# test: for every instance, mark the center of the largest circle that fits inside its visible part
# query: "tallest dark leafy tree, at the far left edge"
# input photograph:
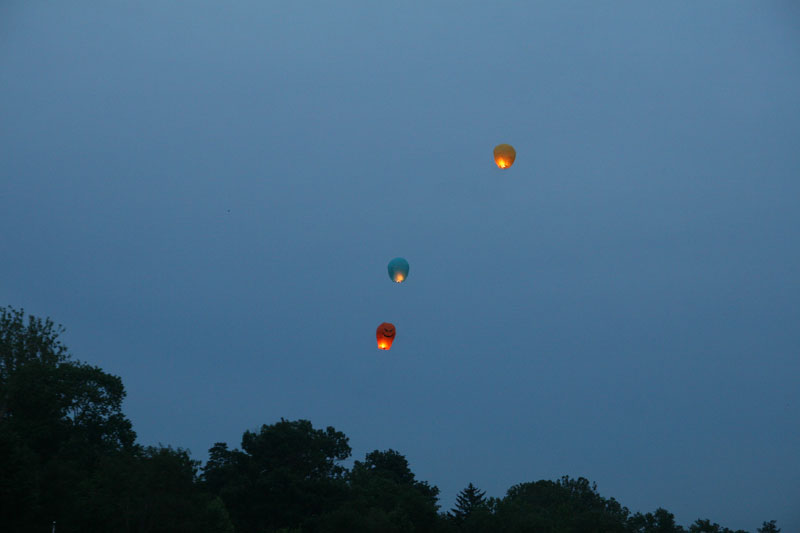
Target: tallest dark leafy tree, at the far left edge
(58, 417)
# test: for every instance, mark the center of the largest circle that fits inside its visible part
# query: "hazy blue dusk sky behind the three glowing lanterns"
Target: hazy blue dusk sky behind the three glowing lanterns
(206, 196)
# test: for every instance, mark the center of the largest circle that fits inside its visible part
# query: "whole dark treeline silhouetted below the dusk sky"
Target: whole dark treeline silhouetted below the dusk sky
(69, 455)
